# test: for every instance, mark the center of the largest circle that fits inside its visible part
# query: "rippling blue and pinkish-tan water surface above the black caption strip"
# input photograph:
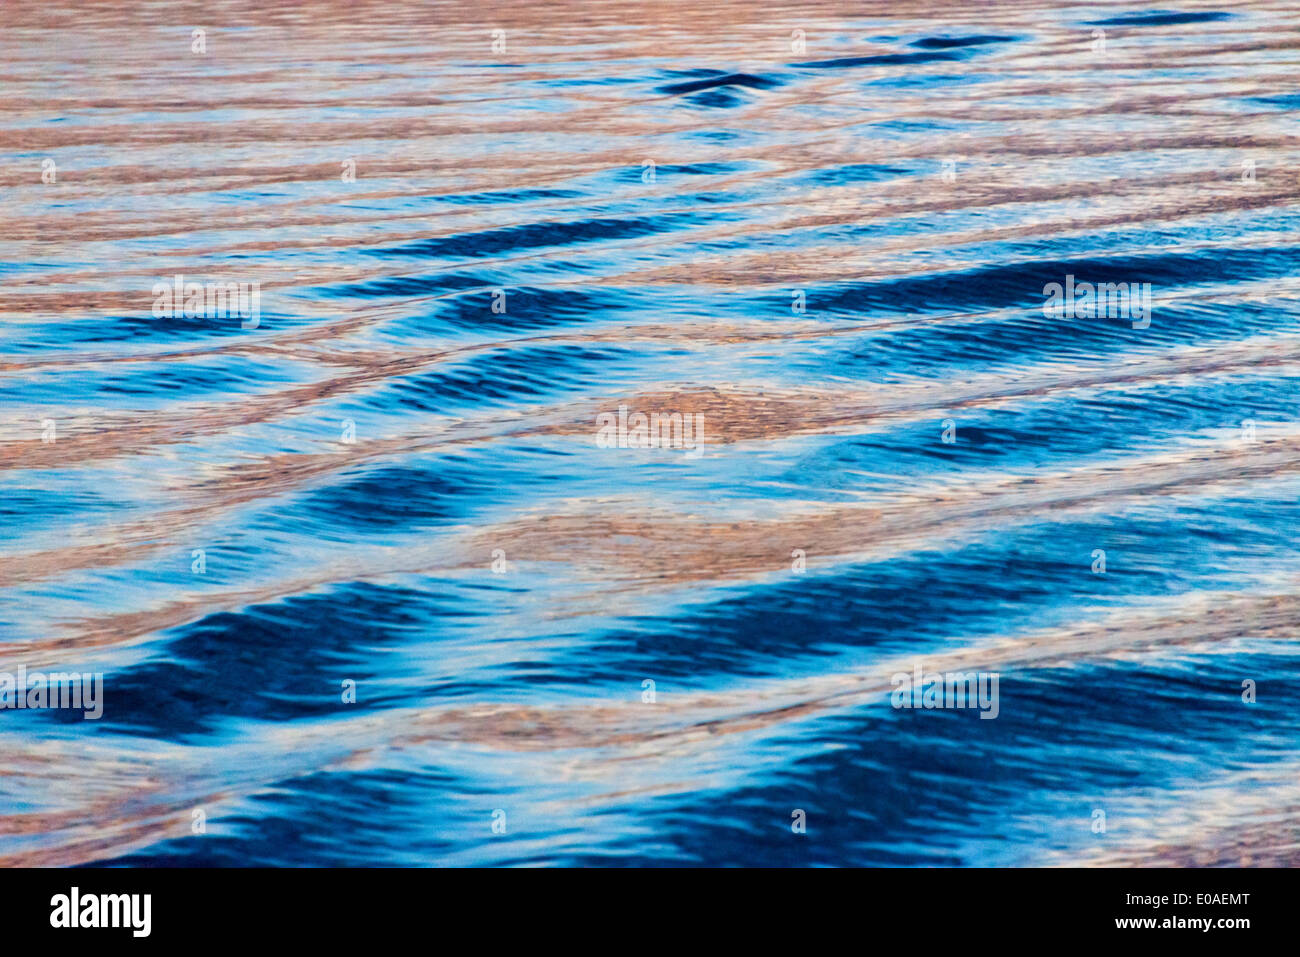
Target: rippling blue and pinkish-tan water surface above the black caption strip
(203, 532)
